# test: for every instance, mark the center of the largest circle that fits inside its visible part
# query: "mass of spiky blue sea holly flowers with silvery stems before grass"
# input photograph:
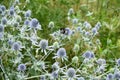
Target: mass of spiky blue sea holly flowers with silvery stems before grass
(27, 52)
